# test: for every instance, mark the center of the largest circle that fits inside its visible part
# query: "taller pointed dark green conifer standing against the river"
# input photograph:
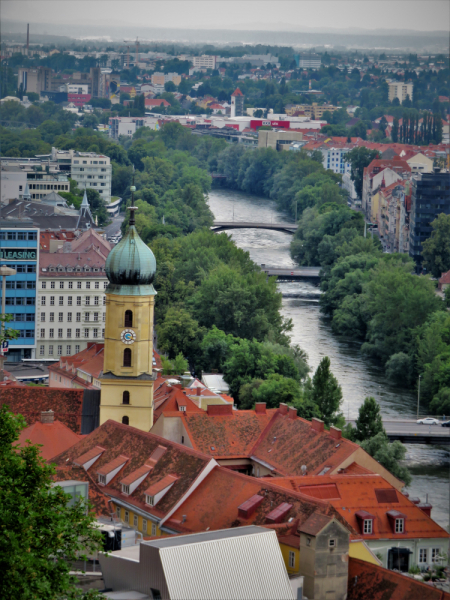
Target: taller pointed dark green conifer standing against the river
(327, 393)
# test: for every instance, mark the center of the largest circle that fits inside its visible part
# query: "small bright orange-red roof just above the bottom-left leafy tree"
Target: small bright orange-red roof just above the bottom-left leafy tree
(55, 437)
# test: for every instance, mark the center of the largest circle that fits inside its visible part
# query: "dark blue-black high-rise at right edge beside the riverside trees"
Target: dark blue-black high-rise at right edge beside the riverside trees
(429, 198)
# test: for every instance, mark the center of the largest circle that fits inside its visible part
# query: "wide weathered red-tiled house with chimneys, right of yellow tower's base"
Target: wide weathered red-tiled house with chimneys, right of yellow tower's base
(267, 442)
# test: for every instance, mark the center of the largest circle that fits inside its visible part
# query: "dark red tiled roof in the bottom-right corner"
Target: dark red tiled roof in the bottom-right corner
(366, 580)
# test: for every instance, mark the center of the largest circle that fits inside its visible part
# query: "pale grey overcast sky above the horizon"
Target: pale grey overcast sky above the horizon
(290, 15)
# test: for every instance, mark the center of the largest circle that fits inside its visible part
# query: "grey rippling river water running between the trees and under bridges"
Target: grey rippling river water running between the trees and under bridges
(358, 376)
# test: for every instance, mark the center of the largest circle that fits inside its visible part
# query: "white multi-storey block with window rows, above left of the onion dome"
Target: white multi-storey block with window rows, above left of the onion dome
(88, 169)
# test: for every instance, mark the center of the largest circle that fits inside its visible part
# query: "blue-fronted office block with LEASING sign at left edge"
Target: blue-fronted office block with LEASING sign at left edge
(19, 250)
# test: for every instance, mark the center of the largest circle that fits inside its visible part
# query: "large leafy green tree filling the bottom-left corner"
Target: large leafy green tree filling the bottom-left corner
(40, 534)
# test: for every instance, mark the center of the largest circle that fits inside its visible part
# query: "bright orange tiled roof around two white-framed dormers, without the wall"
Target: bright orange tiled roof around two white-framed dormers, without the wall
(371, 493)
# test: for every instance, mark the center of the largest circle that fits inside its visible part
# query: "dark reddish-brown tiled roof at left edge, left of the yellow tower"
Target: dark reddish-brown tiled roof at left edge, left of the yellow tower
(66, 404)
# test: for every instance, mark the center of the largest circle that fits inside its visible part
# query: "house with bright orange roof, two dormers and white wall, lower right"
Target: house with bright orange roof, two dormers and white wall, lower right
(398, 529)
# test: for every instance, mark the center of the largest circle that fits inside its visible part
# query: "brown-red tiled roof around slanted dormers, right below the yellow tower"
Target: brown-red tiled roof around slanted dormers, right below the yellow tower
(123, 440)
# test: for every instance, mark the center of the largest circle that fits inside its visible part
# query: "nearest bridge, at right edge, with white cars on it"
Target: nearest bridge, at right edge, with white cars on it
(409, 432)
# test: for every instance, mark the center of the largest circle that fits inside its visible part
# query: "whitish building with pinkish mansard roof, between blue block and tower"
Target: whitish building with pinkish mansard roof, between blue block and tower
(71, 298)
